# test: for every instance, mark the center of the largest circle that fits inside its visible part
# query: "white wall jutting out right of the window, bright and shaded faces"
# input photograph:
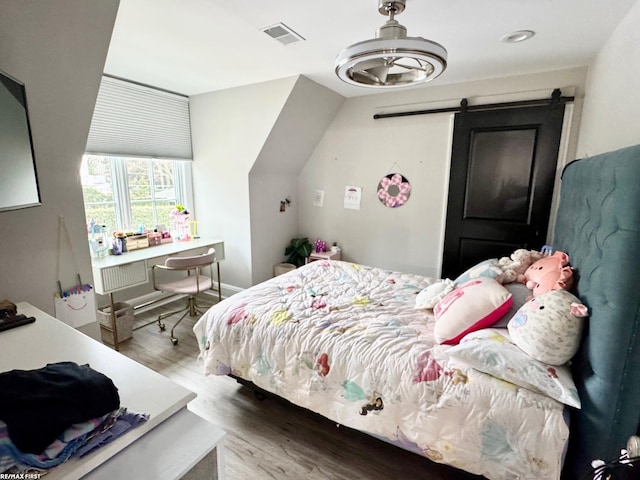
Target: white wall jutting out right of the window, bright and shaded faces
(249, 144)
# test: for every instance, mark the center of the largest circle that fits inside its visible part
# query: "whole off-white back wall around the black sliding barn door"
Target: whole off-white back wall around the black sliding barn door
(358, 150)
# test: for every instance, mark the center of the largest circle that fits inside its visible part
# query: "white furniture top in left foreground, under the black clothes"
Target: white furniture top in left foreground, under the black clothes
(141, 390)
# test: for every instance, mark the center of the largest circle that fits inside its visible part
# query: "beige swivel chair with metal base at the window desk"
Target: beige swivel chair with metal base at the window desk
(194, 283)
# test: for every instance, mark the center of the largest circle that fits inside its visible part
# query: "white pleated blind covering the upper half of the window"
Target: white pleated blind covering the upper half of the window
(136, 120)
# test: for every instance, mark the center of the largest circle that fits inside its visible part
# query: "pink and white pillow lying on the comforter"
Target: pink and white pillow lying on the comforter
(473, 305)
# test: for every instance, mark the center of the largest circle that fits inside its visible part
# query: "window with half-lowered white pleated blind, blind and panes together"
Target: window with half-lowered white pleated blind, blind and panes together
(137, 165)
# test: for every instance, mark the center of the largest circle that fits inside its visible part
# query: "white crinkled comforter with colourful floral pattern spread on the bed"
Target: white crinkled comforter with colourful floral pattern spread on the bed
(344, 340)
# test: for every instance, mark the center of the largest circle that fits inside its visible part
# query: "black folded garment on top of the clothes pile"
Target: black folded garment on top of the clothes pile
(39, 405)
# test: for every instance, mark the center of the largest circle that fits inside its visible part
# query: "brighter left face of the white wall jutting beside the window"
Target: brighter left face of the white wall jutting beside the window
(229, 129)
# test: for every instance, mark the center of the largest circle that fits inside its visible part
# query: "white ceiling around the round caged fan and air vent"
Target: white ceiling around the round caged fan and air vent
(196, 46)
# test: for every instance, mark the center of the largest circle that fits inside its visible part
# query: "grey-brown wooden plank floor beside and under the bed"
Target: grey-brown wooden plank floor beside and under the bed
(271, 439)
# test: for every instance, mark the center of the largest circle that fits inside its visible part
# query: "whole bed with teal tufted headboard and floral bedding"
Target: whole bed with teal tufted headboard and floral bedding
(345, 340)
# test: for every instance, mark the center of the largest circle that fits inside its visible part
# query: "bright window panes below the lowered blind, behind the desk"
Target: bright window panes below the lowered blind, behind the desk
(126, 193)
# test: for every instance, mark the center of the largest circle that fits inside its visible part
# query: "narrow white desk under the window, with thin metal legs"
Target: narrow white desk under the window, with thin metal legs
(118, 272)
